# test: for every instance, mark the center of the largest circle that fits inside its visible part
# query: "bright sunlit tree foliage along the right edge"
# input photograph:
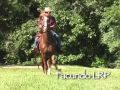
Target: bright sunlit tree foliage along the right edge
(110, 27)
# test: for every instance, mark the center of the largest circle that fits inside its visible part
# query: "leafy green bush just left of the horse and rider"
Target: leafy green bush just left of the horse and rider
(21, 40)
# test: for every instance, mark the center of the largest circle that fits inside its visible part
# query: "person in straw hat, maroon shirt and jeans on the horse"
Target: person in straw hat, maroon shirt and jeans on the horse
(52, 22)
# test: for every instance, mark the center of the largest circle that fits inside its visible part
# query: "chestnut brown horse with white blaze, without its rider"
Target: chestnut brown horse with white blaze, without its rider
(47, 47)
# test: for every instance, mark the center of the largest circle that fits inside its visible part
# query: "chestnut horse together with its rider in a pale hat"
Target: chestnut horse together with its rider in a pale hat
(46, 41)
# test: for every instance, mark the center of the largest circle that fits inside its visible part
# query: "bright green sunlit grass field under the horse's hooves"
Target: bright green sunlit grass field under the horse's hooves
(34, 79)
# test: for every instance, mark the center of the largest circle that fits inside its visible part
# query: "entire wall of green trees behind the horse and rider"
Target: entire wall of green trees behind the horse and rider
(89, 30)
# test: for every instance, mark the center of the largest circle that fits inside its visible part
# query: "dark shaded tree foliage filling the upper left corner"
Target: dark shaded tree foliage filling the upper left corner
(16, 12)
